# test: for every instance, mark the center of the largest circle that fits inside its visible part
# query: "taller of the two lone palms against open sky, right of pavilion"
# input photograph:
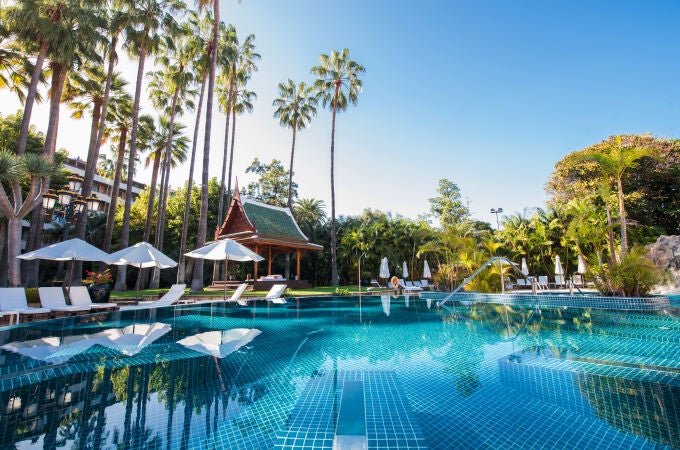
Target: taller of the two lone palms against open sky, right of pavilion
(338, 85)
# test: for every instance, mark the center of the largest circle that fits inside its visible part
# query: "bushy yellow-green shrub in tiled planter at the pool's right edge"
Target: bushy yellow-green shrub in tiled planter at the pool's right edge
(635, 276)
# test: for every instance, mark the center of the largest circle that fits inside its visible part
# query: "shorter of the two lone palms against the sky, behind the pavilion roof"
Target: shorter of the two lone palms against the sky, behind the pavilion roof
(295, 107)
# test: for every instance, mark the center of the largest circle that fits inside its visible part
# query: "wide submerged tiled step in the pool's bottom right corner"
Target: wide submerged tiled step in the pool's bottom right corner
(631, 399)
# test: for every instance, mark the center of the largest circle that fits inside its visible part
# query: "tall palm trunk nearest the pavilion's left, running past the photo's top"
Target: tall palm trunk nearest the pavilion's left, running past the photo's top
(197, 281)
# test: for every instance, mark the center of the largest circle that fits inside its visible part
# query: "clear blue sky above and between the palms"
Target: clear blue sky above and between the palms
(488, 94)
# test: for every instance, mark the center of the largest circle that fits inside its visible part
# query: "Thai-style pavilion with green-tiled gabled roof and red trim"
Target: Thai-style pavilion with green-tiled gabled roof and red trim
(269, 231)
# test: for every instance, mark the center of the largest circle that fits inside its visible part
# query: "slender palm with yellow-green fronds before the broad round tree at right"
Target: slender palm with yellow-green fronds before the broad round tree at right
(613, 160)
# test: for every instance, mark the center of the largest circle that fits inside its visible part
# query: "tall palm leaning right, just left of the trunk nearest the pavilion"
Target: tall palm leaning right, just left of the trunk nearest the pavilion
(203, 41)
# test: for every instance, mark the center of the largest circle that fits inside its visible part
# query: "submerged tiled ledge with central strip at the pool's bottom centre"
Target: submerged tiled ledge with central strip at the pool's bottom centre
(319, 417)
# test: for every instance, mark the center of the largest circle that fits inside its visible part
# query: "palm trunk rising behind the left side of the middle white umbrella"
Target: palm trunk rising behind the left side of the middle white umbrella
(121, 283)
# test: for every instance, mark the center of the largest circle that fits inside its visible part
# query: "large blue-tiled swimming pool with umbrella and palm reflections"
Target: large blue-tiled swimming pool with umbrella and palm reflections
(475, 376)
